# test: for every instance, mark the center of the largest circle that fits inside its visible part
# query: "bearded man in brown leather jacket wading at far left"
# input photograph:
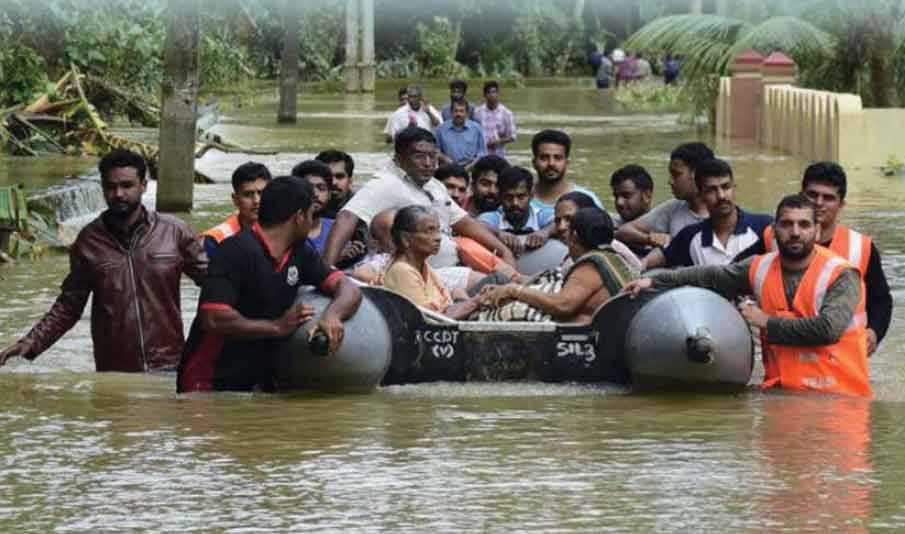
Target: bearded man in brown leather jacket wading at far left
(132, 260)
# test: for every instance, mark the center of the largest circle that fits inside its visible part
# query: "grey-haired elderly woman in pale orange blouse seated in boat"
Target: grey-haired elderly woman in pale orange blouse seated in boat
(416, 236)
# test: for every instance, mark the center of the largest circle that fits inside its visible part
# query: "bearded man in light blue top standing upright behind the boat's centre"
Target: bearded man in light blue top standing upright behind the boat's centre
(550, 150)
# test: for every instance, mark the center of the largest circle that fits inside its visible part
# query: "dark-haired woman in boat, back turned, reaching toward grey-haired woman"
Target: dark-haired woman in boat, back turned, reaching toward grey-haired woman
(598, 273)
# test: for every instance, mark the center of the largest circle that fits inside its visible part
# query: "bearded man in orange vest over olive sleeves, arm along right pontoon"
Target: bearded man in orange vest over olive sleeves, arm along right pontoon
(808, 304)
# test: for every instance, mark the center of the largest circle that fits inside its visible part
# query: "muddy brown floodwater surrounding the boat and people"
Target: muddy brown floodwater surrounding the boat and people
(85, 452)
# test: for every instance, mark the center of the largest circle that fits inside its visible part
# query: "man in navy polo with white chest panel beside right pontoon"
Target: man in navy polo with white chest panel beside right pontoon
(719, 238)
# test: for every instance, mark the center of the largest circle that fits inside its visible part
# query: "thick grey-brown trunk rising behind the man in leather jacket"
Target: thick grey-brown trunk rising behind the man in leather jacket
(179, 95)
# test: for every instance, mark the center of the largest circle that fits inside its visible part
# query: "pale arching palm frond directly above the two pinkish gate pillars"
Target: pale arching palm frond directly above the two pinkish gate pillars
(792, 35)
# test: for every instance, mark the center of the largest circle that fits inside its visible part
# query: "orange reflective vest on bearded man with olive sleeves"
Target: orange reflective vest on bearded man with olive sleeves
(837, 368)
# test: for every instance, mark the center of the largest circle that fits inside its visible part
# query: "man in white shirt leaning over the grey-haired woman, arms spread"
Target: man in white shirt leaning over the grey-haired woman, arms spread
(409, 180)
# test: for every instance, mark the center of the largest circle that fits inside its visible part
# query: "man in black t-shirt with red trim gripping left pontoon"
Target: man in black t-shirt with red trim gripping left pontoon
(246, 307)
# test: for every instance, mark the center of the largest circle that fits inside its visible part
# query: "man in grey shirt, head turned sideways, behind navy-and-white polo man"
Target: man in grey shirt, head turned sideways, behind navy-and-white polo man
(656, 227)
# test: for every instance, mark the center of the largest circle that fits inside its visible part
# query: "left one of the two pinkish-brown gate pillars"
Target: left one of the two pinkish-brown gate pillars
(745, 96)
